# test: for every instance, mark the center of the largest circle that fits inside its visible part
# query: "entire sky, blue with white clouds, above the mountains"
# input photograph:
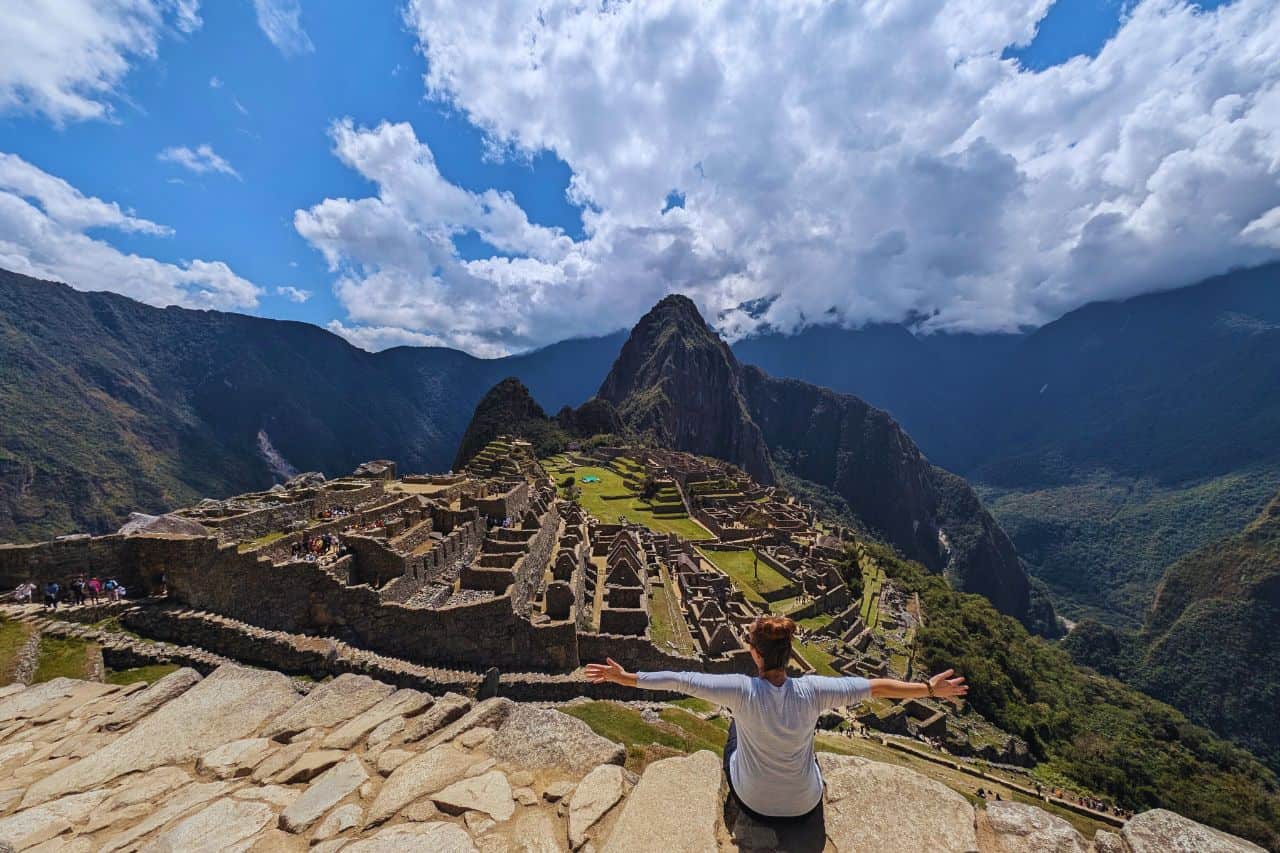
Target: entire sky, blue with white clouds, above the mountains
(977, 172)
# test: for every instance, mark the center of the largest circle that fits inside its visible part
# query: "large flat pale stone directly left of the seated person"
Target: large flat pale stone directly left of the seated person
(675, 809)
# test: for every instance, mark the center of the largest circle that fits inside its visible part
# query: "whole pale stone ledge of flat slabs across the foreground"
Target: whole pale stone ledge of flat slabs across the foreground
(245, 760)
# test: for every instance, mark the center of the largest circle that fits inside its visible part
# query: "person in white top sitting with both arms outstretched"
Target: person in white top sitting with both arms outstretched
(770, 756)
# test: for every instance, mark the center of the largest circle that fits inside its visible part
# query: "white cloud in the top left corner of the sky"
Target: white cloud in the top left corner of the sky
(67, 60)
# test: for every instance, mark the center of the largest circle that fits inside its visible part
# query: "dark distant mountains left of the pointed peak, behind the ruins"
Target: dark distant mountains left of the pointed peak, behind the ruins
(111, 405)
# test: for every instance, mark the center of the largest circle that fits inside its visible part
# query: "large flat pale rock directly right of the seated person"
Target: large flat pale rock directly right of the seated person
(883, 808)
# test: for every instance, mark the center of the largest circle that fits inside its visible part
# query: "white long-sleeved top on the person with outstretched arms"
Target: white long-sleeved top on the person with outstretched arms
(774, 769)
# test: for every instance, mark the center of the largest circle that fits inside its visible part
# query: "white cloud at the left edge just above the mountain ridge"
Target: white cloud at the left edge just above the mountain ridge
(43, 234)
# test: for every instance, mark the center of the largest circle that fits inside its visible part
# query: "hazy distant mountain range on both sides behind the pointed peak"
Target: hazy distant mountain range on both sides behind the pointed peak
(1108, 444)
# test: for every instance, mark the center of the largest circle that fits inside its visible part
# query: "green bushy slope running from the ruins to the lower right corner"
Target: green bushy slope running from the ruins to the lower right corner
(1094, 732)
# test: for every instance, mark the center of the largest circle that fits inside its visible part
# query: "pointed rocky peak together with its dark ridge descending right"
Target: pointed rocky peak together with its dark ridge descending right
(679, 381)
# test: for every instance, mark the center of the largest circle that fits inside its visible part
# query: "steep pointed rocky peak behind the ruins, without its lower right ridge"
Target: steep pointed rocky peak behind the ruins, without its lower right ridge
(676, 380)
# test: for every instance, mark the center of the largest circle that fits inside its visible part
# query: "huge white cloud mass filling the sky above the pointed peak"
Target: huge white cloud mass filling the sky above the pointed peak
(860, 162)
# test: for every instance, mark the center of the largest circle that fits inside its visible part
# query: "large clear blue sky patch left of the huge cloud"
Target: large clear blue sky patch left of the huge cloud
(269, 118)
